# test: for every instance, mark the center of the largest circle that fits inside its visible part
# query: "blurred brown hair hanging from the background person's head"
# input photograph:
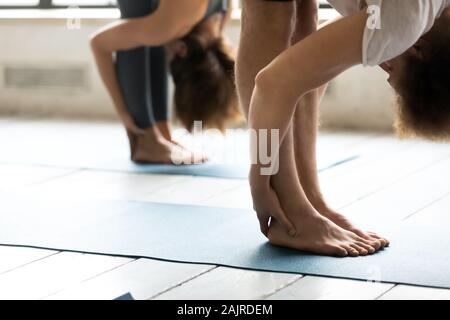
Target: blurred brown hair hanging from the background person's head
(204, 83)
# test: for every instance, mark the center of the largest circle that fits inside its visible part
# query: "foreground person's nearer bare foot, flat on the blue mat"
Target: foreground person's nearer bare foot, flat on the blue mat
(317, 234)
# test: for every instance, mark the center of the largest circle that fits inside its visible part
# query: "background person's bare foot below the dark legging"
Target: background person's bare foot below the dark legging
(148, 149)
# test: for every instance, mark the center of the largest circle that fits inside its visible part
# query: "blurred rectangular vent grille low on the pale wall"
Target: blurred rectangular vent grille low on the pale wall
(40, 77)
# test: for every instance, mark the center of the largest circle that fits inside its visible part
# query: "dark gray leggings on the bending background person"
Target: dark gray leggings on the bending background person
(142, 72)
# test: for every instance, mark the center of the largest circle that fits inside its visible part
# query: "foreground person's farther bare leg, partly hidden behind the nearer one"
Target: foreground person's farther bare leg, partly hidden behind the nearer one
(305, 136)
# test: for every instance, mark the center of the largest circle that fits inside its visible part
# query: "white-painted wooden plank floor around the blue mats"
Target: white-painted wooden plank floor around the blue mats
(413, 175)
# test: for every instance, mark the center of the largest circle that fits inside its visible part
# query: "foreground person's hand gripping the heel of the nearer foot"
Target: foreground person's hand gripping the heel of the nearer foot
(266, 203)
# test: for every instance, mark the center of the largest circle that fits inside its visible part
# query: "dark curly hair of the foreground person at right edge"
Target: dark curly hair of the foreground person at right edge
(424, 90)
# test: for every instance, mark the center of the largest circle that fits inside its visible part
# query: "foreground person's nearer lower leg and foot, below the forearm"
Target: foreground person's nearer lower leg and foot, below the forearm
(316, 233)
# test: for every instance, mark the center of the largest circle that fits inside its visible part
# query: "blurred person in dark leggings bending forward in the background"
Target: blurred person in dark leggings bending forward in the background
(134, 54)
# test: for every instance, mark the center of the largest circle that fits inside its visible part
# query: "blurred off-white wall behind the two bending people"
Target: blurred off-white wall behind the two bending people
(359, 98)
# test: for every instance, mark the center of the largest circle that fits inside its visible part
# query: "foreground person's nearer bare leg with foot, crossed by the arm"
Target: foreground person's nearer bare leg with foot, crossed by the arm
(260, 43)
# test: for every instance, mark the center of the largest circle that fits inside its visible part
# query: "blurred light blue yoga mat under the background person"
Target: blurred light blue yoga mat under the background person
(97, 147)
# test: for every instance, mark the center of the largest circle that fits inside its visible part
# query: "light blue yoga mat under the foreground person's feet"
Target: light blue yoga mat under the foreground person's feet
(419, 253)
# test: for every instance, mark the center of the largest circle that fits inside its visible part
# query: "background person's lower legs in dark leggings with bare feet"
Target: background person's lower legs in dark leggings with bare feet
(138, 80)
